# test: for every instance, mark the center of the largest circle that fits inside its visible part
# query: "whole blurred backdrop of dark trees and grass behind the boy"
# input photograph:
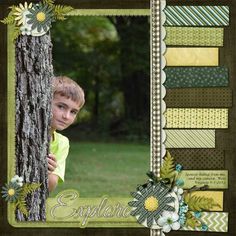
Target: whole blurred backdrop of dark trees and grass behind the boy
(109, 57)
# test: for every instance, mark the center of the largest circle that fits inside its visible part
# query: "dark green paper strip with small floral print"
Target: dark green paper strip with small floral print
(183, 76)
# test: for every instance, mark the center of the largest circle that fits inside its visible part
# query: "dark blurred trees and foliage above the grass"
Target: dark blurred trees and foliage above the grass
(110, 58)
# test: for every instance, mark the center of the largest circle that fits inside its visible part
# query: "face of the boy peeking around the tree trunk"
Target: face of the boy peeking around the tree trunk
(64, 111)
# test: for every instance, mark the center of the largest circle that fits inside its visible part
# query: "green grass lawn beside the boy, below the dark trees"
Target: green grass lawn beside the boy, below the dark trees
(113, 169)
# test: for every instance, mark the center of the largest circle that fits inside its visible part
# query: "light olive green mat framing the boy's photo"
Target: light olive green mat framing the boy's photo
(55, 221)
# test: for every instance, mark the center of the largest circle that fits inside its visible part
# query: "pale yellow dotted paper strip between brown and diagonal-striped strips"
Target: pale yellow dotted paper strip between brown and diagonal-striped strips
(212, 118)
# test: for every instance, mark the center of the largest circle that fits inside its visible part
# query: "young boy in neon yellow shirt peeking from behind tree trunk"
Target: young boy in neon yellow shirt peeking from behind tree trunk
(68, 99)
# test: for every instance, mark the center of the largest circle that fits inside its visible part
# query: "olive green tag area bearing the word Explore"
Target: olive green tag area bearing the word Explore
(67, 206)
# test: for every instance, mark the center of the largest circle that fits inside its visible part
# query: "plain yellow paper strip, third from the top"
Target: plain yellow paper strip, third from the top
(192, 56)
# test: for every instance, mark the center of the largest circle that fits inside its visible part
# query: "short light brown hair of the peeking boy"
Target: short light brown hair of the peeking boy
(68, 88)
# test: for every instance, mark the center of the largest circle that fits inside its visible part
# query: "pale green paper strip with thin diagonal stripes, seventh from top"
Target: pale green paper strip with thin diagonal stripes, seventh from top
(189, 138)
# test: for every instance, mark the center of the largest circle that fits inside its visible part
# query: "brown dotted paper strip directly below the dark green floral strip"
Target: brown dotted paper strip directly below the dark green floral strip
(199, 97)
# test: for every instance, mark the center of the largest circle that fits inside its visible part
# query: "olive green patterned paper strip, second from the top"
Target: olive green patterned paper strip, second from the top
(194, 36)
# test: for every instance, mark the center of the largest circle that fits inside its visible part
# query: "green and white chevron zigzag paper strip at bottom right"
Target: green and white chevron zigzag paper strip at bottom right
(215, 221)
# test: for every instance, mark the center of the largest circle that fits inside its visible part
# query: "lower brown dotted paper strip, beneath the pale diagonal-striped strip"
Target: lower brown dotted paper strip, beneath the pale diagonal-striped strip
(198, 159)
